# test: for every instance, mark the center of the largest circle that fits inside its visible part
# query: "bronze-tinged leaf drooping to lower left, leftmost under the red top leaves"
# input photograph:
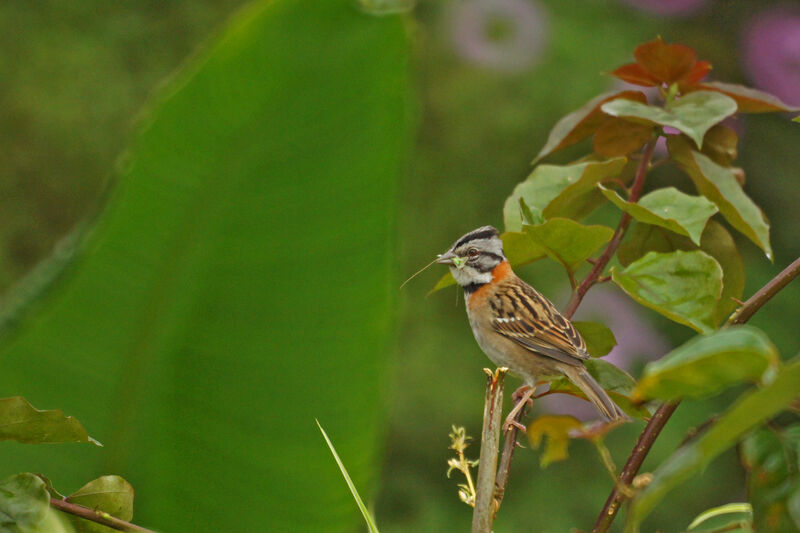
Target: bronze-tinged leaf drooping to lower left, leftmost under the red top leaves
(582, 122)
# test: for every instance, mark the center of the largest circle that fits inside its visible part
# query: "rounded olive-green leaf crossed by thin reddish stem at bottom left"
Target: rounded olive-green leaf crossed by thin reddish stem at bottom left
(110, 494)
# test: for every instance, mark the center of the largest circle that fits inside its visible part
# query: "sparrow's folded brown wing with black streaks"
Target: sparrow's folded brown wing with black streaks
(528, 318)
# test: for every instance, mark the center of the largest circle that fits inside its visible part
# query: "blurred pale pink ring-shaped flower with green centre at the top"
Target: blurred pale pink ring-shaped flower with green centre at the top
(508, 35)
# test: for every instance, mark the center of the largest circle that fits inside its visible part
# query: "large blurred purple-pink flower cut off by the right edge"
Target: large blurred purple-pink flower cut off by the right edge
(771, 52)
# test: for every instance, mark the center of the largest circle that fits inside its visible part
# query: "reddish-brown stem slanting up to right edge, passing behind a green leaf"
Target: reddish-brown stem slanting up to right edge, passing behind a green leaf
(664, 412)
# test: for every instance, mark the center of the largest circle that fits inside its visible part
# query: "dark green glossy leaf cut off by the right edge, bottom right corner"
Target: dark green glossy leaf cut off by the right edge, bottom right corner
(770, 456)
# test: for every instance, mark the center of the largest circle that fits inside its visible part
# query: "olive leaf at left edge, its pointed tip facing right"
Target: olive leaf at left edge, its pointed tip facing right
(22, 422)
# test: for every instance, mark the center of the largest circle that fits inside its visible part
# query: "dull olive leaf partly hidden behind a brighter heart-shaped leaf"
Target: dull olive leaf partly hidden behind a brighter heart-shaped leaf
(716, 241)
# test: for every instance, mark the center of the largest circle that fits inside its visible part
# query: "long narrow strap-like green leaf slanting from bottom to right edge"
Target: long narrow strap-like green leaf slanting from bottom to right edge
(750, 410)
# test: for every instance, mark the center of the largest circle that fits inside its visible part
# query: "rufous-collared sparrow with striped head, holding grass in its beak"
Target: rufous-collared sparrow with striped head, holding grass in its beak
(515, 325)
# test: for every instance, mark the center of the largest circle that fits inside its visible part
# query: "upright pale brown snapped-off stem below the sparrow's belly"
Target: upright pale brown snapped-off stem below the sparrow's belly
(490, 444)
